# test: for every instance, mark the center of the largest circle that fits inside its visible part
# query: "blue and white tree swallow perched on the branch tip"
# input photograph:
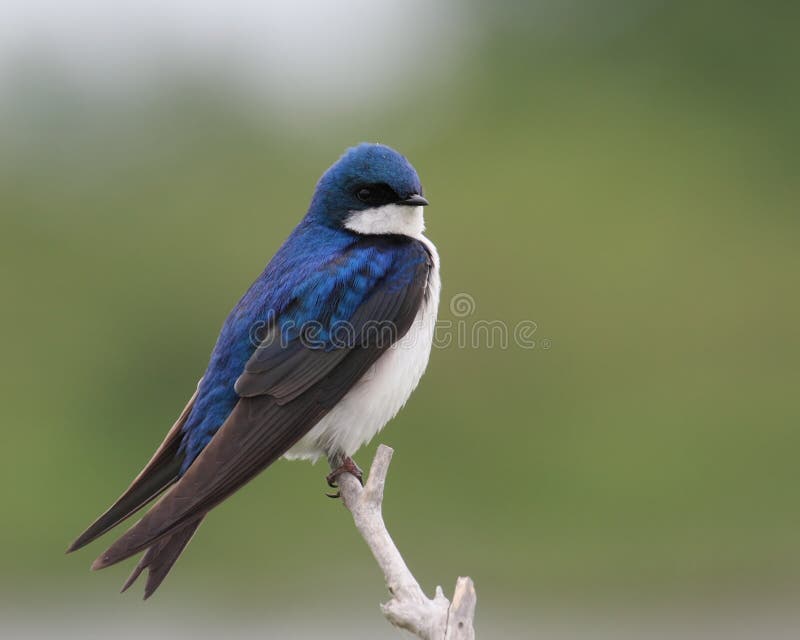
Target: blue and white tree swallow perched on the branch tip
(319, 354)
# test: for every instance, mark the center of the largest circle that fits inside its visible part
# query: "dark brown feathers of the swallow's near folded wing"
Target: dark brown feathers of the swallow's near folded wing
(261, 428)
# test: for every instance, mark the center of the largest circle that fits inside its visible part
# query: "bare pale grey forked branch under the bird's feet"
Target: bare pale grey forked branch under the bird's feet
(409, 608)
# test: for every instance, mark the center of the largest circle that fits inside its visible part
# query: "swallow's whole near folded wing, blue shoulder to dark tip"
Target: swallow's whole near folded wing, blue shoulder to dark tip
(287, 386)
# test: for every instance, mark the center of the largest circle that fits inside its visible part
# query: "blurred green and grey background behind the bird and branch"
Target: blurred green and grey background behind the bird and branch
(623, 175)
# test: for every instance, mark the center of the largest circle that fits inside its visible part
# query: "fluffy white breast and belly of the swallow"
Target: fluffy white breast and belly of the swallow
(382, 391)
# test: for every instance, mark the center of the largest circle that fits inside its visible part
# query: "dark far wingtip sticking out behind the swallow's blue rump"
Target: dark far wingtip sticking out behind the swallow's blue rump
(159, 473)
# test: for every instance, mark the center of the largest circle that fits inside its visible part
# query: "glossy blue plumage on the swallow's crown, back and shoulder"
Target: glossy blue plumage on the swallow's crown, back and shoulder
(321, 274)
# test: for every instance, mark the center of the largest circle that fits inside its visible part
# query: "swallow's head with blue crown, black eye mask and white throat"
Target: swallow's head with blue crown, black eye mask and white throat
(370, 190)
